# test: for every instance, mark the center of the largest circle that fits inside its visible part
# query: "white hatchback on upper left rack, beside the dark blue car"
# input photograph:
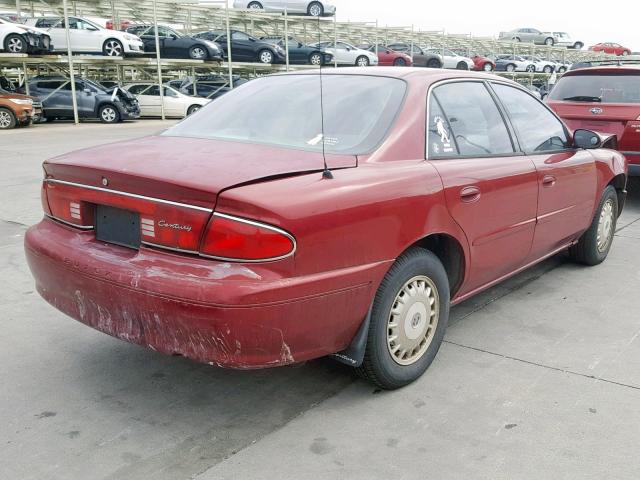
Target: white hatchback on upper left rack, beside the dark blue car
(88, 37)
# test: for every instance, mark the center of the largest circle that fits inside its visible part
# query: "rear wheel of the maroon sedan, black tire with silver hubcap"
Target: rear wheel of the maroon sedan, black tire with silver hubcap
(421, 327)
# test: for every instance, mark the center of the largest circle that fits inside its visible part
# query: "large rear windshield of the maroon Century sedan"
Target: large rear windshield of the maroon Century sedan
(285, 111)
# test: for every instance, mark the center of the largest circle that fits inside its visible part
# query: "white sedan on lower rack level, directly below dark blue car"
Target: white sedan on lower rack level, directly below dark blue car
(176, 104)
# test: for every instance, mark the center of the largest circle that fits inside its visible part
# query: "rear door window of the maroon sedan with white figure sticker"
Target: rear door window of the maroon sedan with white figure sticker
(475, 122)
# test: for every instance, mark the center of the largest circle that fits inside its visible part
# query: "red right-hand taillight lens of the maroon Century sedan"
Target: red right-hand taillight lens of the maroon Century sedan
(238, 239)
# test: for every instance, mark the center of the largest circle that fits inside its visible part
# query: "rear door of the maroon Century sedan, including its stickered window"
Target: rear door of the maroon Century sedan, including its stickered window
(491, 190)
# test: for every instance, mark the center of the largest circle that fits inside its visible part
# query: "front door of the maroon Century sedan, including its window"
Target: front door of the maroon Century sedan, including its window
(567, 177)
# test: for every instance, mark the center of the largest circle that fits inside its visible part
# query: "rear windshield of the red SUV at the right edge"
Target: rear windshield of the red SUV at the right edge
(609, 88)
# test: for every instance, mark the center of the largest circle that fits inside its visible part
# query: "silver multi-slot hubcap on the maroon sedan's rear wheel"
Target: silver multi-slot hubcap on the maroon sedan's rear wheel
(413, 320)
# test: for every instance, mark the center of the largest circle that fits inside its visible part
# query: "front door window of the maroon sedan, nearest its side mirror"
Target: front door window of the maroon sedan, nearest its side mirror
(537, 128)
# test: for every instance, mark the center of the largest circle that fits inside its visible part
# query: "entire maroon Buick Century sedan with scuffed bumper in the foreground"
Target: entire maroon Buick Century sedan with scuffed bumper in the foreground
(227, 240)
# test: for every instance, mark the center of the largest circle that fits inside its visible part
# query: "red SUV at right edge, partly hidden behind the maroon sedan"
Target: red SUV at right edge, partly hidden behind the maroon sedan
(604, 98)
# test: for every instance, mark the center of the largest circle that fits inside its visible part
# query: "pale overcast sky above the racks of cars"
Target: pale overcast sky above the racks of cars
(585, 20)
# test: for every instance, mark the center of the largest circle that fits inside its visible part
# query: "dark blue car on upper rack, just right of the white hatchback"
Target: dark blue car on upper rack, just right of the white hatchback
(176, 45)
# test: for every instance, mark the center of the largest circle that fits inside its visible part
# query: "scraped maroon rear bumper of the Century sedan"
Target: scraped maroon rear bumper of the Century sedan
(230, 315)
